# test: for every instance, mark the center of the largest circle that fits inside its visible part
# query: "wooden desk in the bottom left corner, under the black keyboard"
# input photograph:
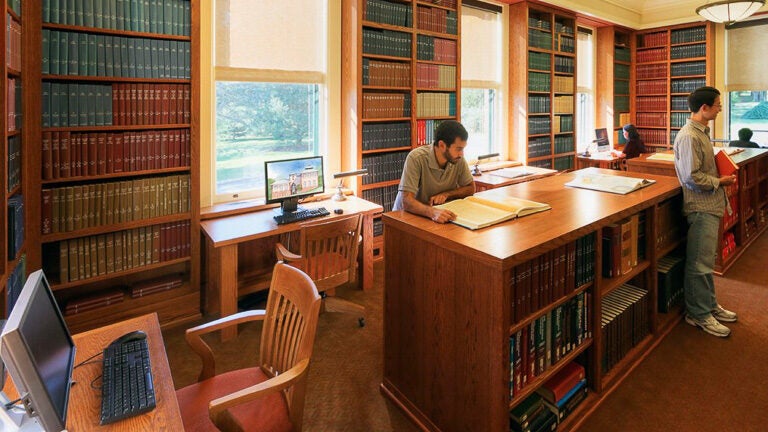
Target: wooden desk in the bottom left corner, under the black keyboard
(85, 402)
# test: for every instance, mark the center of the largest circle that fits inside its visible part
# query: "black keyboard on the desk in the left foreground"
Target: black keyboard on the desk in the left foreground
(127, 389)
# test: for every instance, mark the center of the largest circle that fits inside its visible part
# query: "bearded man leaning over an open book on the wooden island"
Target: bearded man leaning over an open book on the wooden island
(434, 174)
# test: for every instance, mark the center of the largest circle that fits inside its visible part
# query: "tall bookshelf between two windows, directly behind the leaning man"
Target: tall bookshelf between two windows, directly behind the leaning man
(401, 71)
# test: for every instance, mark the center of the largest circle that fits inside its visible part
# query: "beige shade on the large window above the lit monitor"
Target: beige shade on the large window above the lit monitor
(271, 34)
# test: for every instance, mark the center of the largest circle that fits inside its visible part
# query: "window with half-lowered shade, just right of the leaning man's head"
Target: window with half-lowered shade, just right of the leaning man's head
(481, 71)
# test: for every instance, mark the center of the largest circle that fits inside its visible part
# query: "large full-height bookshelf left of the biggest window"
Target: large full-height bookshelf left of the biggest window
(115, 160)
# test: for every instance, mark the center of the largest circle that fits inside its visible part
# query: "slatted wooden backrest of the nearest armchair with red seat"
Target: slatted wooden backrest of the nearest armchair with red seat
(293, 307)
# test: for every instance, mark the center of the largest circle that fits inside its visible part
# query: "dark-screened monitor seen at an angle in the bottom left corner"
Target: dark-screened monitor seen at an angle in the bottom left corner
(38, 351)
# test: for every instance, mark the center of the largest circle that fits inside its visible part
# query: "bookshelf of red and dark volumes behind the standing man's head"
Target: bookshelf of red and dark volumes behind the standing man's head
(670, 62)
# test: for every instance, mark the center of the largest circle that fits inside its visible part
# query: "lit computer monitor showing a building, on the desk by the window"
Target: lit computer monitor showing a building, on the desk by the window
(290, 179)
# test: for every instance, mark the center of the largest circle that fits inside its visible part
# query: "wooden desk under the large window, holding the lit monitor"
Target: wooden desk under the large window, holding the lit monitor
(224, 235)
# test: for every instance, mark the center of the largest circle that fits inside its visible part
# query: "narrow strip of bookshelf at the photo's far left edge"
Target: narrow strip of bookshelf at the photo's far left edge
(12, 220)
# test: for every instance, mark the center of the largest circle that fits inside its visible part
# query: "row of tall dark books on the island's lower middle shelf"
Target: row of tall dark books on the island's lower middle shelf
(624, 323)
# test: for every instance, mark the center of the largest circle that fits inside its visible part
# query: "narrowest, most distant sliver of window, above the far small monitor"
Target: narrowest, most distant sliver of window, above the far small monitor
(585, 89)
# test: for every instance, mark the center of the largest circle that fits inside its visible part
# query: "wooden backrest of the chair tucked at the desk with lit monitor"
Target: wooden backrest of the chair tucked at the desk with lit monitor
(329, 250)
